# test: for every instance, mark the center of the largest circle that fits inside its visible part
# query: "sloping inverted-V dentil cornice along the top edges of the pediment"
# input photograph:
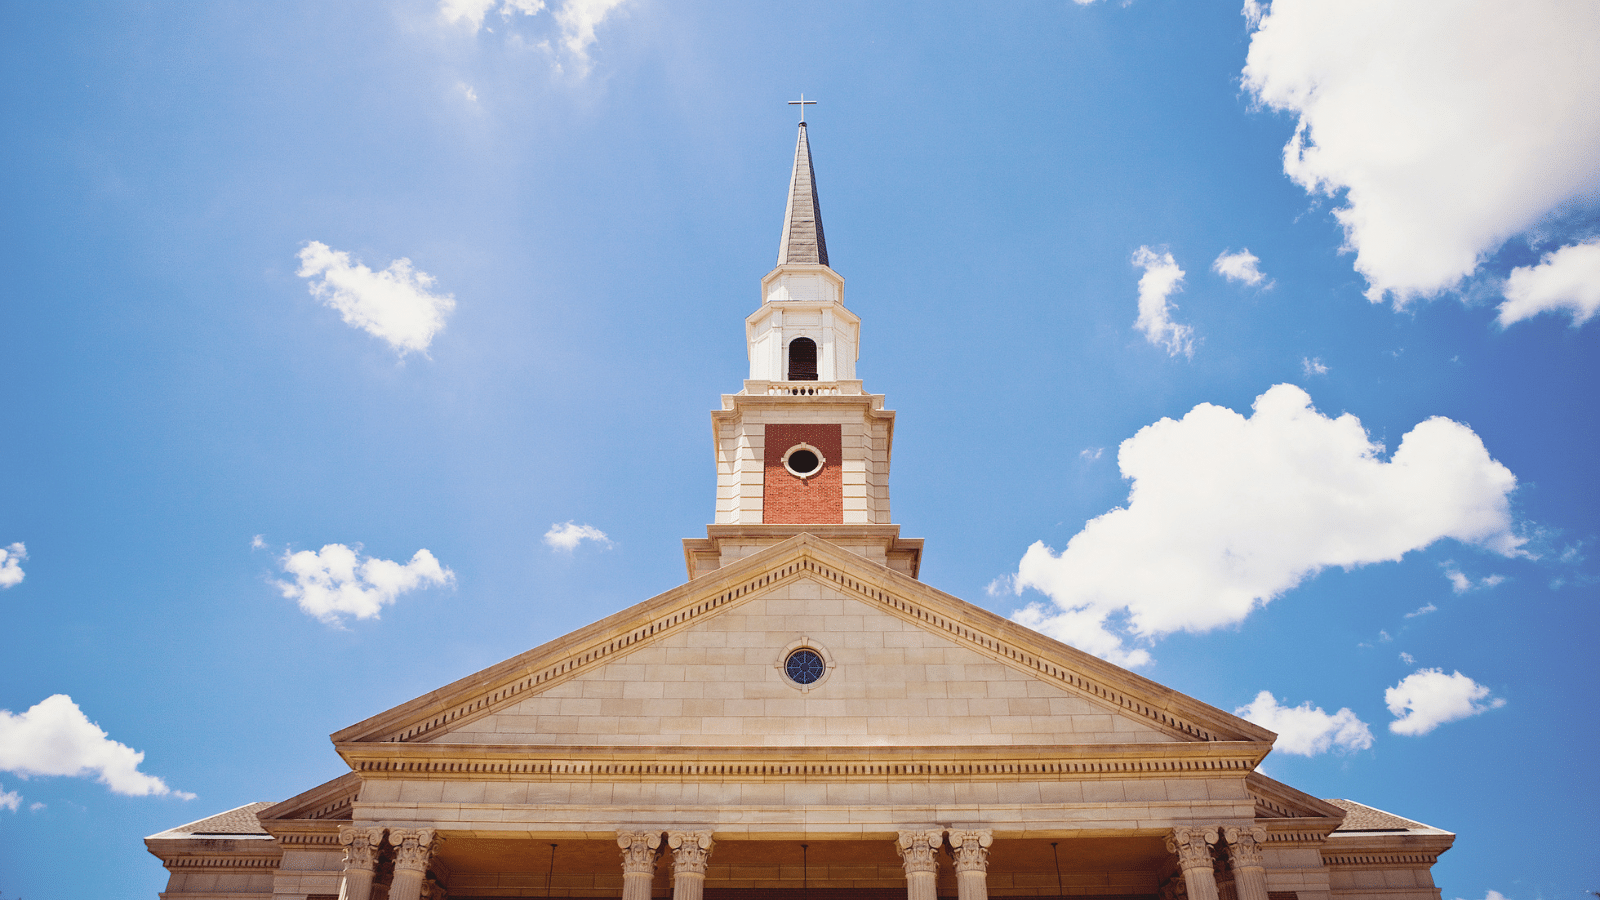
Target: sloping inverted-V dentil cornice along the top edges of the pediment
(804, 556)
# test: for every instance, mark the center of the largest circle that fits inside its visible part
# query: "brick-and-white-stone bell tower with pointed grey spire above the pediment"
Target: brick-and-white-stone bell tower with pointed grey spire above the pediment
(802, 449)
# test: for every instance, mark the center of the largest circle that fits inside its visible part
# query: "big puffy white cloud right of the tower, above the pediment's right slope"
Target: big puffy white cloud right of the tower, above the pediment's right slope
(1226, 513)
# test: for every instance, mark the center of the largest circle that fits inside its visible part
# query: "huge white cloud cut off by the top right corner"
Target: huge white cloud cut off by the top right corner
(1450, 127)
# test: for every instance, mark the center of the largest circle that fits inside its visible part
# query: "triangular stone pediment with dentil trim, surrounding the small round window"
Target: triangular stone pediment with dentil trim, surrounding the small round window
(700, 667)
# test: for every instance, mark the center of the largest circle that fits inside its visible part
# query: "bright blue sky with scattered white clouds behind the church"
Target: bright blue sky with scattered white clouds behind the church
(351, 348)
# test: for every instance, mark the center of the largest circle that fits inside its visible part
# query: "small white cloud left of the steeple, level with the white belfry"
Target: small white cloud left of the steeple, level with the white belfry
(396, 305)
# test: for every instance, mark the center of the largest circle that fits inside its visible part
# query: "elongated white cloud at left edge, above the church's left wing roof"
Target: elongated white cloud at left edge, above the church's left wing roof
(57, 739)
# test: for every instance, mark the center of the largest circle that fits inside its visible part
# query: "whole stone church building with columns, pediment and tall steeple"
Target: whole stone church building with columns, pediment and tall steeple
(802, 720)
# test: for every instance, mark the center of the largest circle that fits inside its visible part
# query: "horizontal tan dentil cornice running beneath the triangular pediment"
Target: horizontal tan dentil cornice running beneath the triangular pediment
(521, 763)
